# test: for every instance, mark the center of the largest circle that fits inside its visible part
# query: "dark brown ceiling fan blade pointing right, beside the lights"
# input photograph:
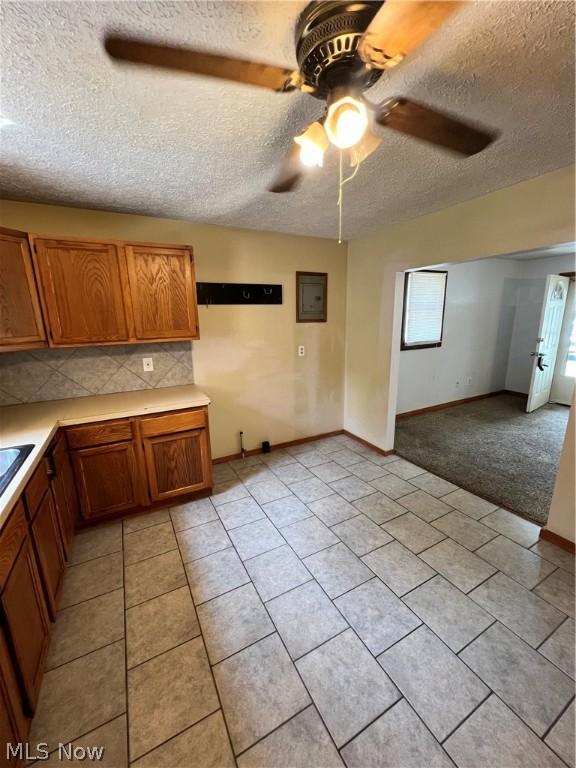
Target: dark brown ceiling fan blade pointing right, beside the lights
(435, 127)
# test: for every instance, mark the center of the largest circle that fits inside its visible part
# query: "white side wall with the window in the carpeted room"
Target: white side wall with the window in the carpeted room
(478, 322)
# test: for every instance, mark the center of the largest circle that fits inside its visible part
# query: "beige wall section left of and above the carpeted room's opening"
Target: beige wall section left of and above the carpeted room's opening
(532, 214)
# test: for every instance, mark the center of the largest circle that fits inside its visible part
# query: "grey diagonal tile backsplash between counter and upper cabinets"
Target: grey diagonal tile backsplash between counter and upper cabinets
(54, 374)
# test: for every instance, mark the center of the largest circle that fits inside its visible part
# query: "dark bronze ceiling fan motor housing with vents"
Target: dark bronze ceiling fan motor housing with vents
(327, 37)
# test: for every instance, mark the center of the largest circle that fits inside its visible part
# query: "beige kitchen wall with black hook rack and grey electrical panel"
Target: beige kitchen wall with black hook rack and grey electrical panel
(246, 358)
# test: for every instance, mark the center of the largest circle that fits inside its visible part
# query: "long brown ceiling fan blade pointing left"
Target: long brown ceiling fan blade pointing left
(138, 51)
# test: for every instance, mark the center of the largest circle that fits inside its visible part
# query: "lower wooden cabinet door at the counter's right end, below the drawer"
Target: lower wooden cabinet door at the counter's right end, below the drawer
(177, 463)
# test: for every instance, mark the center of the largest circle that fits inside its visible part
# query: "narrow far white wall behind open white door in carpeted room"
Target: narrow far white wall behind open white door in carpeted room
(529, 290)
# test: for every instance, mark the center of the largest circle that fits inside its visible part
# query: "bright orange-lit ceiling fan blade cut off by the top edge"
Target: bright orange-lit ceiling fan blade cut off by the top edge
(399, 27)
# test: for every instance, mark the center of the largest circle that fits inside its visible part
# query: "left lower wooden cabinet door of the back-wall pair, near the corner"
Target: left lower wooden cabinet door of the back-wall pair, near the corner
(108, 479)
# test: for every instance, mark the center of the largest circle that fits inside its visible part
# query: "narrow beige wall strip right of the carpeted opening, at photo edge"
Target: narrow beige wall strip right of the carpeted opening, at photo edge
(562, 517)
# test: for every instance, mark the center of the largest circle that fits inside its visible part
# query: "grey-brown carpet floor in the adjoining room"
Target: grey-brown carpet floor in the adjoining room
(493, 448)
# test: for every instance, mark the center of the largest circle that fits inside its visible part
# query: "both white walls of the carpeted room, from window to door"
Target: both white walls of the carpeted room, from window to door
(490, 326)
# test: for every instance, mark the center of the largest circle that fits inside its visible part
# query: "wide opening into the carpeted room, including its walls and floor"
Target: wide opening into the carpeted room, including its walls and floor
(485, 404)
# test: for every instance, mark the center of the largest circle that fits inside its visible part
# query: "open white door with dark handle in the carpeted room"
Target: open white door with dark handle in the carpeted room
(547, 342)
